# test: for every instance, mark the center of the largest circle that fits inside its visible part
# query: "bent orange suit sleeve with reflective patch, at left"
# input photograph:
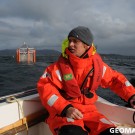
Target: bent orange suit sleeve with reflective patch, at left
(49, 94)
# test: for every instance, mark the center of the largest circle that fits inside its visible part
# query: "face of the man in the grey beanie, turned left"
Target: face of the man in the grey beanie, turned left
(77, 47)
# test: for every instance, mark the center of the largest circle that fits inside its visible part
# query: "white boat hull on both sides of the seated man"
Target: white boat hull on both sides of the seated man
(23, 112)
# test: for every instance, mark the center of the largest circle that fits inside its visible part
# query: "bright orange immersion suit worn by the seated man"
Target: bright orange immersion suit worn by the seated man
(56, 98)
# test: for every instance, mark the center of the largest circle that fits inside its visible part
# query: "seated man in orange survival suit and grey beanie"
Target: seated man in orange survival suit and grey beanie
(67, 88)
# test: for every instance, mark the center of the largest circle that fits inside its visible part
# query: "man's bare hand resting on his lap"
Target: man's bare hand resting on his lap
(74, 113)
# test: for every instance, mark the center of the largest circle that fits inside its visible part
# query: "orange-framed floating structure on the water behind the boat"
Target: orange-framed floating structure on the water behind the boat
(26, 54)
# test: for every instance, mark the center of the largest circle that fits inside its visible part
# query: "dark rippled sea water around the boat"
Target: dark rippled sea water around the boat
(17, 77)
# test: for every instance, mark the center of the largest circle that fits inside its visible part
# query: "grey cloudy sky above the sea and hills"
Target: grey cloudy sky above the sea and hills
(45, 23)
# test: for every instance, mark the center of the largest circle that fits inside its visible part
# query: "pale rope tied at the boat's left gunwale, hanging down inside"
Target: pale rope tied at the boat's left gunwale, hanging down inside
(14, 99)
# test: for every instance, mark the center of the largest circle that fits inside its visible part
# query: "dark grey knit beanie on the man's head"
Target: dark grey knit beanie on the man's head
(82, 33)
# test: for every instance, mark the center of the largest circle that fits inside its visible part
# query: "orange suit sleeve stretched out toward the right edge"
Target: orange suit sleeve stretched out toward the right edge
(117, 82)
